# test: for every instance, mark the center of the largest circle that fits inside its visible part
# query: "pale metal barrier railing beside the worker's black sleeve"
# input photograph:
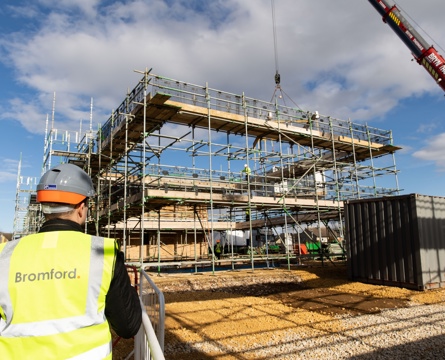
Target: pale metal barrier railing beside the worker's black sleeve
(149, 341)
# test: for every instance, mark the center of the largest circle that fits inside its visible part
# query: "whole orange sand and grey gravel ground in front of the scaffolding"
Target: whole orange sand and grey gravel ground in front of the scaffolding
(312, 313)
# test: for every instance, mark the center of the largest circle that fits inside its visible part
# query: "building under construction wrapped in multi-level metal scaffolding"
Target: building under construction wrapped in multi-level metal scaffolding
(178, 167)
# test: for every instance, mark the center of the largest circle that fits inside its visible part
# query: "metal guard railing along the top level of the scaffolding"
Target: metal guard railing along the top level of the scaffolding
(198, 95)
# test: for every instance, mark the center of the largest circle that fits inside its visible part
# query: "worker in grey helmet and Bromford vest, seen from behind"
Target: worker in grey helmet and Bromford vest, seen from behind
(61, 289)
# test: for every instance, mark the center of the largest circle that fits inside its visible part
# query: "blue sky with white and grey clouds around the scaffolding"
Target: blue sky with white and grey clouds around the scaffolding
(336, 57)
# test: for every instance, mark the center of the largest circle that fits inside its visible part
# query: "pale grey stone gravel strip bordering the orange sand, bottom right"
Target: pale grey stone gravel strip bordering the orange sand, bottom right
(411, 333)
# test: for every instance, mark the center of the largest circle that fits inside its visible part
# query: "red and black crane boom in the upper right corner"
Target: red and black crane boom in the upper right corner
(425, 54)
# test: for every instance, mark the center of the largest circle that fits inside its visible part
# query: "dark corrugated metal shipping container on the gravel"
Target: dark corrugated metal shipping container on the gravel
(397, 241)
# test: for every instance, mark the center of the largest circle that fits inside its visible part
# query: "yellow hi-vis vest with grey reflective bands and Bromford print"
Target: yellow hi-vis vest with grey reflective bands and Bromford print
(52, 296)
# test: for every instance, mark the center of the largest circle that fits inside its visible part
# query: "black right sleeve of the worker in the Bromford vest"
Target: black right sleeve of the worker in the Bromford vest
(122, 306)
